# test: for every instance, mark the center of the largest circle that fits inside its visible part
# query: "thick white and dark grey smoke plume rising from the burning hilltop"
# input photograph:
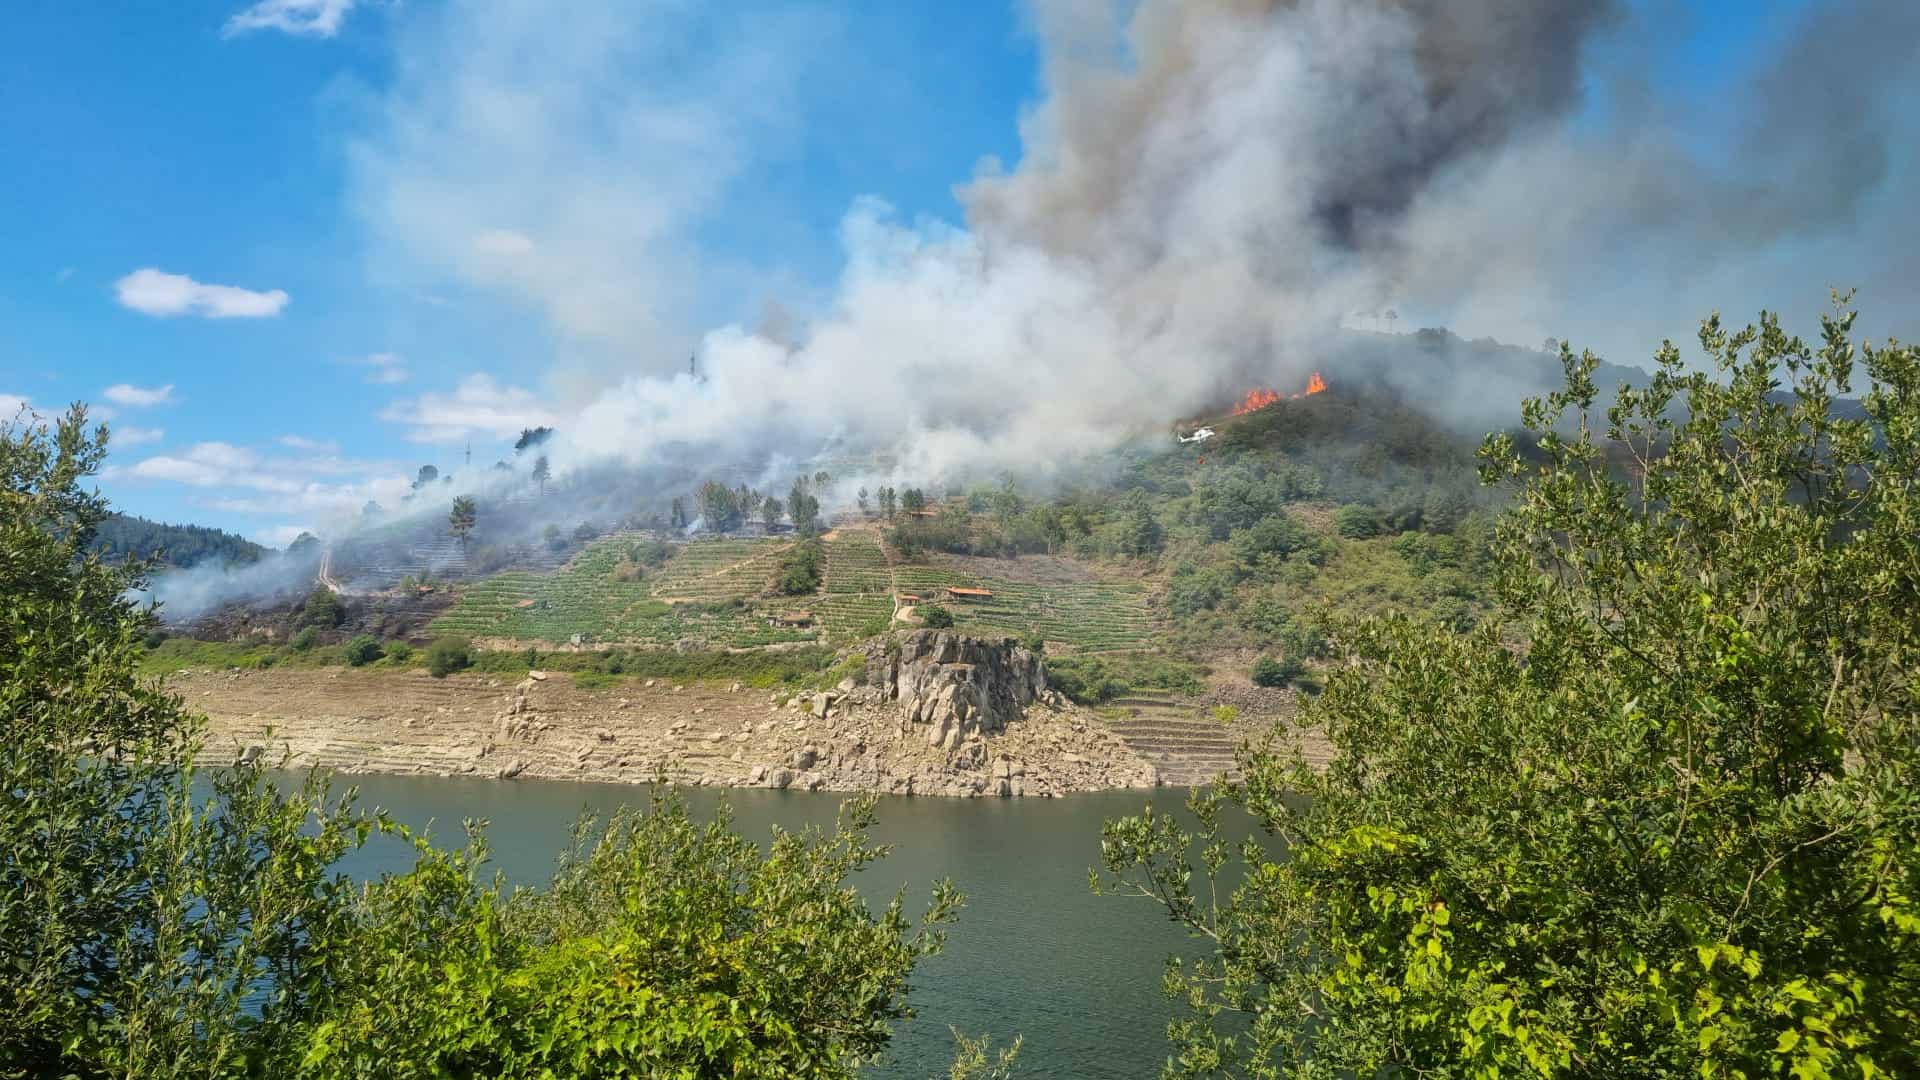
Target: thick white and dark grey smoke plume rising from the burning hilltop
(1209, 187)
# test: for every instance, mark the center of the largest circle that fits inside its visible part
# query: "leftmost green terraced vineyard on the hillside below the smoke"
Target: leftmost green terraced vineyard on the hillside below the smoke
(585, 599)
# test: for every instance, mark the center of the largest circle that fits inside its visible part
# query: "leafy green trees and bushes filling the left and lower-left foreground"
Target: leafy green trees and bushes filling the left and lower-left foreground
(162, 921)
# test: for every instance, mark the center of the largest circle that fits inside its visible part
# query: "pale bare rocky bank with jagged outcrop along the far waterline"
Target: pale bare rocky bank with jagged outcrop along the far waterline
(938, 716)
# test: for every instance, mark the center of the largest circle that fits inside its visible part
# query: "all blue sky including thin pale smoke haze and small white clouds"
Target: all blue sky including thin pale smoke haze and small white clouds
(287, 245)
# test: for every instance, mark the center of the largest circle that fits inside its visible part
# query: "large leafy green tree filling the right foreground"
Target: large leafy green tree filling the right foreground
(1660, 818)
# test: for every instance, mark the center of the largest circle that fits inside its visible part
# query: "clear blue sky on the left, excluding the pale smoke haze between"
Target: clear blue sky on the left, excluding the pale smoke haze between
(153, 137)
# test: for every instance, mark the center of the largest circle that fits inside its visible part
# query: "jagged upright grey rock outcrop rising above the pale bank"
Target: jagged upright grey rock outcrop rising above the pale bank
(957, 687)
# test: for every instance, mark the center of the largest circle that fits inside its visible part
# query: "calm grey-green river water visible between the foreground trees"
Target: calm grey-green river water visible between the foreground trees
(1034, 954)
